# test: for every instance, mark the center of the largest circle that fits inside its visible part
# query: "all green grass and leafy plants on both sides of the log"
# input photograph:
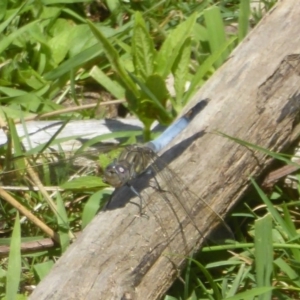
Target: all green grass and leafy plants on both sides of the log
(50, 53)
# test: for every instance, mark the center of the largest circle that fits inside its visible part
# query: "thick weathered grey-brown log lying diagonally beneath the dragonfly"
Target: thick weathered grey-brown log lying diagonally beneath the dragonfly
(255, 97)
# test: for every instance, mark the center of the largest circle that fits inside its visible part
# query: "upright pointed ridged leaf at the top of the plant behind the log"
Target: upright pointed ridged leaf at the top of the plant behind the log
(143, 51)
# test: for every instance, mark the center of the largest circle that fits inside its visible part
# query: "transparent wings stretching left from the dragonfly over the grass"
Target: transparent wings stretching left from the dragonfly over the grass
(53, 168)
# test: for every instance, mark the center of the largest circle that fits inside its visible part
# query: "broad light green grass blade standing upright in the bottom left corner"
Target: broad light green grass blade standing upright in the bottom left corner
(14, 262)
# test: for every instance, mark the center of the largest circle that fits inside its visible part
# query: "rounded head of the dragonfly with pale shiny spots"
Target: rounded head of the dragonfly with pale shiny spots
(116, 174)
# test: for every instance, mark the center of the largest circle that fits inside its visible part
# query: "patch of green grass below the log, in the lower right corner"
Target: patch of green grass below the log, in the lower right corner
(264, 261)
